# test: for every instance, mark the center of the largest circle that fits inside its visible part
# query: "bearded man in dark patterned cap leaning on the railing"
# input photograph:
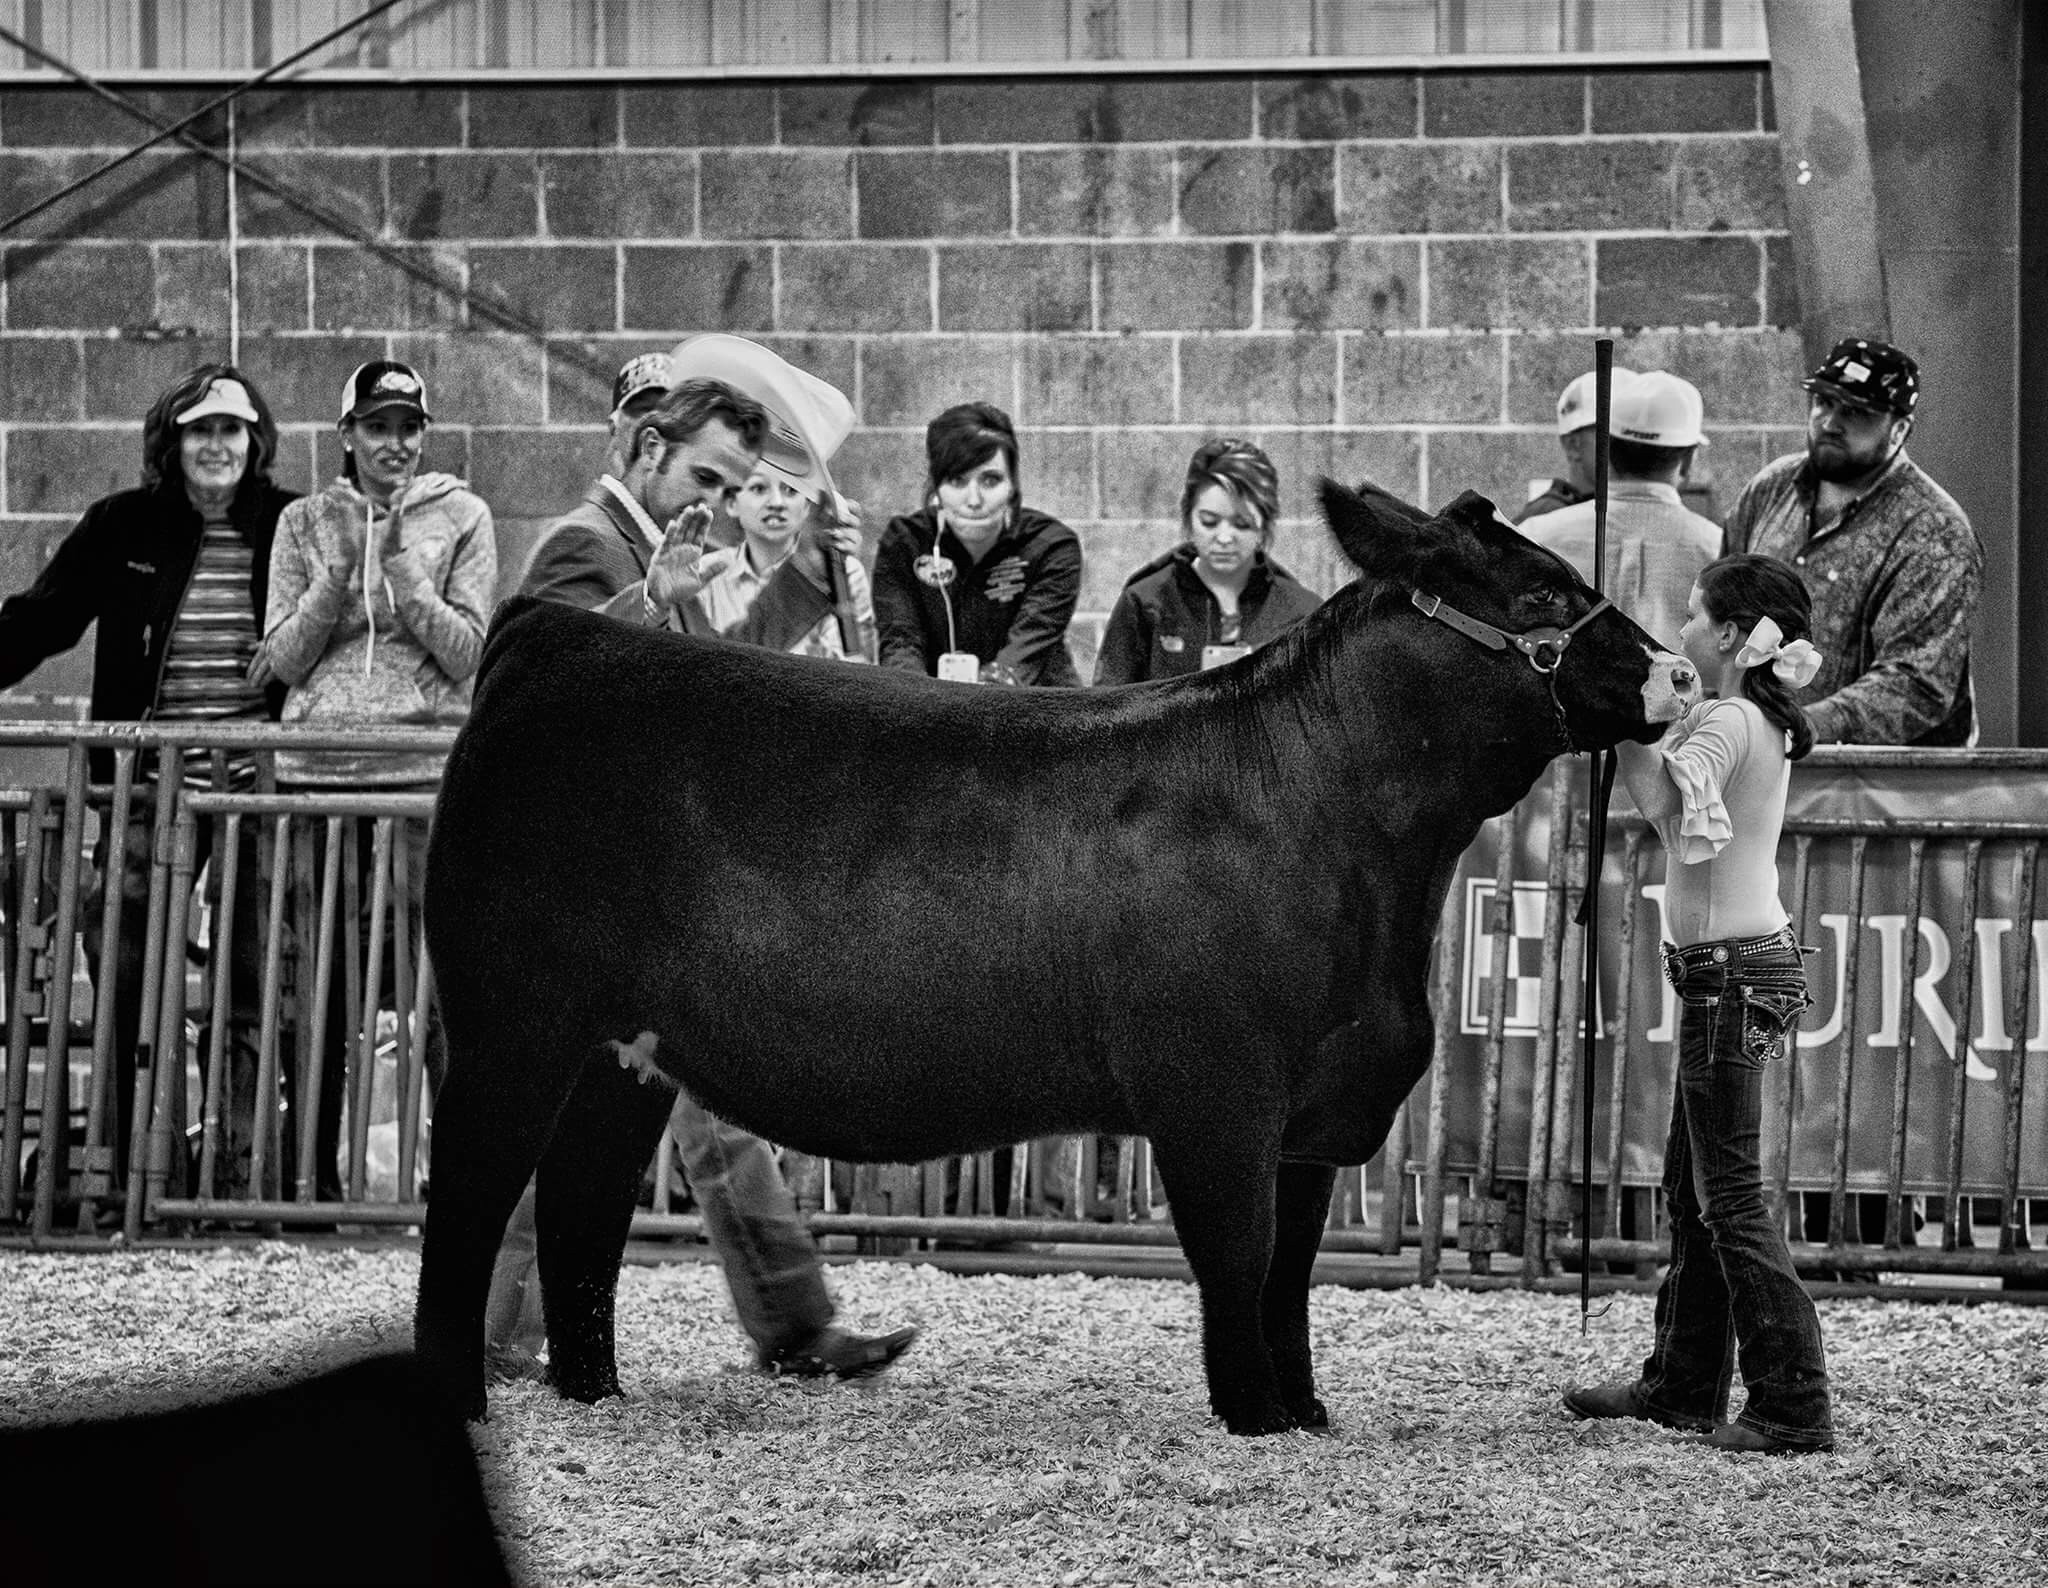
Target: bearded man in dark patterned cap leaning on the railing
(1889, 558)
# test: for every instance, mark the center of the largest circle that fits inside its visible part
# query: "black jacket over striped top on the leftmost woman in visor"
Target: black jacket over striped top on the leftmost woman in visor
(128, 565)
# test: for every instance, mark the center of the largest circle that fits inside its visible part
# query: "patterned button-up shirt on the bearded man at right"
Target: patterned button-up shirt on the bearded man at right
(1895, 585)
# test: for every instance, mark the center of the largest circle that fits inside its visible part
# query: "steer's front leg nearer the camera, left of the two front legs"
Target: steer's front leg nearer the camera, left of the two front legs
(1224, 1210)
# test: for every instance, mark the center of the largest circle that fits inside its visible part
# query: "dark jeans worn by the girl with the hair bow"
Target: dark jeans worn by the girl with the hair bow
(1730, 1292)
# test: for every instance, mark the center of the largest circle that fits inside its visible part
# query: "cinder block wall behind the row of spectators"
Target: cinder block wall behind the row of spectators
(1375, 276)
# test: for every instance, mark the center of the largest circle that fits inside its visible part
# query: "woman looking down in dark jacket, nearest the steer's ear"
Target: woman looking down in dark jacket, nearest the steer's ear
(1215, 595)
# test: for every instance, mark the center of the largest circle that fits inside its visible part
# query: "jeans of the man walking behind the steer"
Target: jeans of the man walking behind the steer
(753, 1222)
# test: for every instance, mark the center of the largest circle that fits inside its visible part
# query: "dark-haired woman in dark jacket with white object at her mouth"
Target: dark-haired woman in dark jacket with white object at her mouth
(978, 587)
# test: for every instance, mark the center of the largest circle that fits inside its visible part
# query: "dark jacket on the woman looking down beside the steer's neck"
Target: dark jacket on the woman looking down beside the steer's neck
(1166, 616)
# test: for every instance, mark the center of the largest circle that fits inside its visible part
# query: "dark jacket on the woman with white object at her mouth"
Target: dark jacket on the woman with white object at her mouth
(1013, 608)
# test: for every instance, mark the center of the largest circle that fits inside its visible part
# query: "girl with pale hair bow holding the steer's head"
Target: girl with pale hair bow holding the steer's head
(1715, 790)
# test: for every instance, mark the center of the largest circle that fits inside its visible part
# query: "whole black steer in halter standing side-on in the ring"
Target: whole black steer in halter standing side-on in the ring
(886, 919)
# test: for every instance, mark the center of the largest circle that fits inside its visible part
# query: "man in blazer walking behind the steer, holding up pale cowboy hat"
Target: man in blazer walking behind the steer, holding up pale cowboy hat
(634, 548)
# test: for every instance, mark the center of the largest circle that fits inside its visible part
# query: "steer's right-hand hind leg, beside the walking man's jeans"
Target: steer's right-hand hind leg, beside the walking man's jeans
(589, 1185)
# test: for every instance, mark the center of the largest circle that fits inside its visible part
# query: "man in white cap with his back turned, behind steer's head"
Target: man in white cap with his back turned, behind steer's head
(1656, 546)
